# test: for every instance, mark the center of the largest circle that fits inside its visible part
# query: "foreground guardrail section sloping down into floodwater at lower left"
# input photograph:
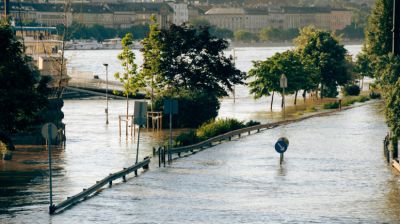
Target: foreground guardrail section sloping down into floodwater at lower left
(99, 184)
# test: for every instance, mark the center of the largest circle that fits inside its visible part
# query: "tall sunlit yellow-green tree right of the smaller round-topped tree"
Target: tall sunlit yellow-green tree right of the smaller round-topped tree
(321, 50)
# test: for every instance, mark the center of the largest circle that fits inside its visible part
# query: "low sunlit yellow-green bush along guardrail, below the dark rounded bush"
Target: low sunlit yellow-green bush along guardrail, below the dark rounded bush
(218, 127)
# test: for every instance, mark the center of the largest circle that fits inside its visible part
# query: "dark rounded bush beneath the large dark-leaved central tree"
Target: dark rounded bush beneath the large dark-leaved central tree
(194, 109)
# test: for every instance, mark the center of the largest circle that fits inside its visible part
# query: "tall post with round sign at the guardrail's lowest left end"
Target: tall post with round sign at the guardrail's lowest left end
(49, 132)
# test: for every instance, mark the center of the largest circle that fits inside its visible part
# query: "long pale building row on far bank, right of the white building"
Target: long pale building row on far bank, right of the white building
(283, 18)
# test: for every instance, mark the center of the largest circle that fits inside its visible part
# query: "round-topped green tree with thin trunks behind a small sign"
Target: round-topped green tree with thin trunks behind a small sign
(266, 75)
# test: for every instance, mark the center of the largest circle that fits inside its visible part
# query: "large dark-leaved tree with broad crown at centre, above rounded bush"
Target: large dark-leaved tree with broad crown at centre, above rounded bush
(193, 59)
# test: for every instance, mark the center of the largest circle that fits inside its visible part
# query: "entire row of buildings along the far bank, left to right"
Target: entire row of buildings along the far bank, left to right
(124, 15)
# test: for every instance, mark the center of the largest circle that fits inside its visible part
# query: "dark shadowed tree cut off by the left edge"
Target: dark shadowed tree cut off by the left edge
(22, 91)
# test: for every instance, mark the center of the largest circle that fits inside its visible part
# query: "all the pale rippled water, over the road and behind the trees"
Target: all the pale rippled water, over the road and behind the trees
(334, 170)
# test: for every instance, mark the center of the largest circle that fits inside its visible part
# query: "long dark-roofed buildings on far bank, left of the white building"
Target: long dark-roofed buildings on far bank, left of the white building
(112, 15)
